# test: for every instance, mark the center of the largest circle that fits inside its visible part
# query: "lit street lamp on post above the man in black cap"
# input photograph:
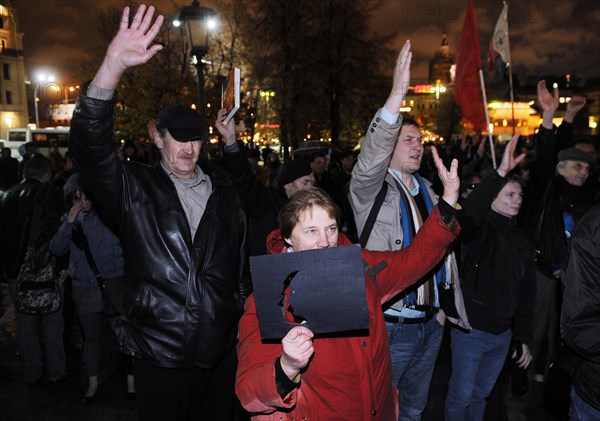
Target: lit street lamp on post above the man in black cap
(199, 21)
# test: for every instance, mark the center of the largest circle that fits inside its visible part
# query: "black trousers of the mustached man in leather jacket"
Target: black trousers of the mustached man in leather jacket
(177, 394)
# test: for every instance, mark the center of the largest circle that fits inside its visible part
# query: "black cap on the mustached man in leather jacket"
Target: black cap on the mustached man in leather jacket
(183, 123)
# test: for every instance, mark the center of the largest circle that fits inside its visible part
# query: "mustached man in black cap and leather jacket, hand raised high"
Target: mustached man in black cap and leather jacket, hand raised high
(182, 228)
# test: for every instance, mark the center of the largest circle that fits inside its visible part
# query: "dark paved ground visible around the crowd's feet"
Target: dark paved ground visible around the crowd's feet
(61, 402)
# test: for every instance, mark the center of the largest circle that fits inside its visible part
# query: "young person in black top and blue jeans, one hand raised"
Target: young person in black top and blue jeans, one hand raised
(498, 285)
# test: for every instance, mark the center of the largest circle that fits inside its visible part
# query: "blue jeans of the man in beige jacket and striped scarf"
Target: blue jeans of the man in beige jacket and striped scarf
(414, 349)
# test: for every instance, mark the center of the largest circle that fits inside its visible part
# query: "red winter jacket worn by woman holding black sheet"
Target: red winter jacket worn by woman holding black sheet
(348, 378)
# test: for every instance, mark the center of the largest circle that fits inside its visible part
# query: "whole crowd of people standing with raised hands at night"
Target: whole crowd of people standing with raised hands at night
(449, 242)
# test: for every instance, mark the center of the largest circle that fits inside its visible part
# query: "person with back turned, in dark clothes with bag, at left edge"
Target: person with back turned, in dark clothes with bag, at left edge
(17, 207)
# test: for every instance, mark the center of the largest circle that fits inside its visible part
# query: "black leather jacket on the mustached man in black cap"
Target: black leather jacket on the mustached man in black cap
(184, 296)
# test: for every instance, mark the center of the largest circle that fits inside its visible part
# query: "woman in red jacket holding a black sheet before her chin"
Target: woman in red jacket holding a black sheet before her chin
(346, 378)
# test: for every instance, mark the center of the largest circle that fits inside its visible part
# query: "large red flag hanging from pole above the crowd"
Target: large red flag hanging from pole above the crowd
(468, 63)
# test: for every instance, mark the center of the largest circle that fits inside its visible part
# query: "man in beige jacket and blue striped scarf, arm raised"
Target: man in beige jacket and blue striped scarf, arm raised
(391, 155)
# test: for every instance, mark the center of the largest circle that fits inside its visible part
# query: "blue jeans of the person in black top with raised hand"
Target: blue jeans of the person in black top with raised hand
(477, 360)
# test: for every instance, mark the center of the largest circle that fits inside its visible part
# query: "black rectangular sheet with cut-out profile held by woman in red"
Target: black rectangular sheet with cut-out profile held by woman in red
(325, 289)
